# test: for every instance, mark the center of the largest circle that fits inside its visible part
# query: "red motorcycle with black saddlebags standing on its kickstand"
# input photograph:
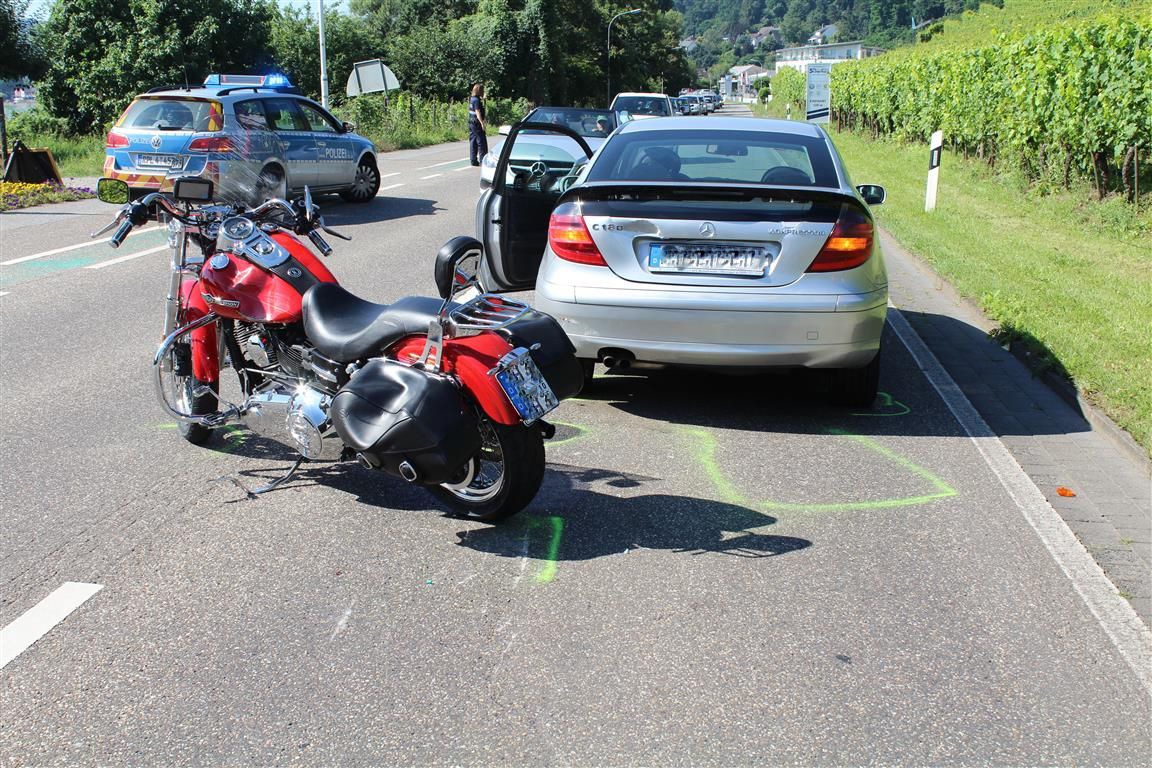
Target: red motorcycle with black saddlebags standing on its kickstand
(444, 393)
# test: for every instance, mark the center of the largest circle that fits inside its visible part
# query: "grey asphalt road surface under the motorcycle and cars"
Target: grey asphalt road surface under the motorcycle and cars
(718, 571)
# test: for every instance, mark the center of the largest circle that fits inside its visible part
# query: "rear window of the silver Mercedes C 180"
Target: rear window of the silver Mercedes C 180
(740, 157)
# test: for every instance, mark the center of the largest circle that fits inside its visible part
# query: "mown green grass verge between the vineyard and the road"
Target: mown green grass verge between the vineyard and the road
(1070, 278)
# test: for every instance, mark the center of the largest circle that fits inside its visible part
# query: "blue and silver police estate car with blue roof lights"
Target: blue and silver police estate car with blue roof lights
(254, 136)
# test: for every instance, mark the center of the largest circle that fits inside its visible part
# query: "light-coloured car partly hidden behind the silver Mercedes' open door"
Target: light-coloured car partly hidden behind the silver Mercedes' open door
(593, 125)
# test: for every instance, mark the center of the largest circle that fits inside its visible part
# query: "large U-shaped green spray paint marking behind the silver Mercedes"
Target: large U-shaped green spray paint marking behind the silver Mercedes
(706, 453)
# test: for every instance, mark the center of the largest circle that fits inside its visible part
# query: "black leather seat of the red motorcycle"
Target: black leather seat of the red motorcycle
(345, 328)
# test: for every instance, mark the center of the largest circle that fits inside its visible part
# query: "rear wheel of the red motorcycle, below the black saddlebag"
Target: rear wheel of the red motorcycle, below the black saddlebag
(502, 480)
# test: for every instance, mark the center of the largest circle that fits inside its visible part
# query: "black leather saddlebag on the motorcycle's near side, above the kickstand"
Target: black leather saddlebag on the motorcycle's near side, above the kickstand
(391, 414)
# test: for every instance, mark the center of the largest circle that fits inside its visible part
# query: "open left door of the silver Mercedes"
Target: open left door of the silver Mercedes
(513, 215)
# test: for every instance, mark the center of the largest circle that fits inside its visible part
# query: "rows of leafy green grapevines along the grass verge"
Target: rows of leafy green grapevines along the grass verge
(1058, 104)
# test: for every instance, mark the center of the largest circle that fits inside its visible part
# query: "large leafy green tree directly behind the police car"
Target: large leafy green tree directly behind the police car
(105, 54)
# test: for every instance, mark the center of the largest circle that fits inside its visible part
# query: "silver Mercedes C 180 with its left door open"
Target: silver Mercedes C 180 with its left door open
(726, 242)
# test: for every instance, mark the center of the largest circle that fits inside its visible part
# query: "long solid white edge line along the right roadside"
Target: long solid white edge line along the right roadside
(1117, 618)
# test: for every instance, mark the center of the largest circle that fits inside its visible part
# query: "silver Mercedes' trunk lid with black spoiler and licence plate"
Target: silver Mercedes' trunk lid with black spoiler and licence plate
(709, 237)
